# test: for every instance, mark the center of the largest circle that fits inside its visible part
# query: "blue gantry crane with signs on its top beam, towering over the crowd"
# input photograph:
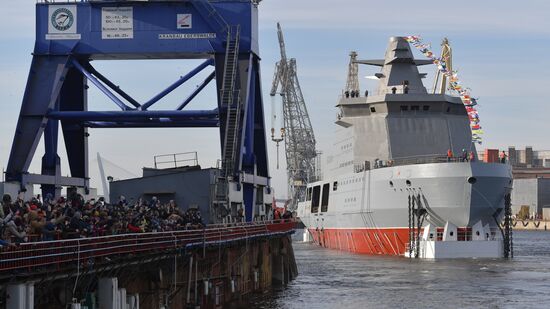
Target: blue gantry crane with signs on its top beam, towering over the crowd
(70, 35)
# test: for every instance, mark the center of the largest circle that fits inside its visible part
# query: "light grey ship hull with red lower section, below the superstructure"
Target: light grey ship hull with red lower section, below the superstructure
(369, 211)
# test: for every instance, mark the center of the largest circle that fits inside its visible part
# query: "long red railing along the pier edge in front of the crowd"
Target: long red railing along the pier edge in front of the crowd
(85, 251)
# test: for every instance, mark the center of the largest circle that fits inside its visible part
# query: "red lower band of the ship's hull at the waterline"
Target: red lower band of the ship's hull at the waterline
(387, 241)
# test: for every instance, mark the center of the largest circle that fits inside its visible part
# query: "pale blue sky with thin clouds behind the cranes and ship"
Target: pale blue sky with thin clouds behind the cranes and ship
(499, 48)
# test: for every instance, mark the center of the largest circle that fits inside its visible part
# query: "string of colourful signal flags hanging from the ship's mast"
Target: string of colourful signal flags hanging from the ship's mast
(455, 85)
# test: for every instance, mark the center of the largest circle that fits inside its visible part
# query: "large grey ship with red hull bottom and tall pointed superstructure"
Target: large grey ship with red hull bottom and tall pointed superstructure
(390, 186)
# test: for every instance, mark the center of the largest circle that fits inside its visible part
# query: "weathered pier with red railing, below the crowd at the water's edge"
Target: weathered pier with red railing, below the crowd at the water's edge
(208, 268)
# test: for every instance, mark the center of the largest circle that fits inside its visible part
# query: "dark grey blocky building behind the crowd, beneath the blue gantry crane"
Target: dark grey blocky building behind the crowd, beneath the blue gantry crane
(189, 188)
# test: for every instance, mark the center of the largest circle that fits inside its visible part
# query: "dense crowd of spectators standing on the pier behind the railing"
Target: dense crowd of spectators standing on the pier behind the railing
(72, 217)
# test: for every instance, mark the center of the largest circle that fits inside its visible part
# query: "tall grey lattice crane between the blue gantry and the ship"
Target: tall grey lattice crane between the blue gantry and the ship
(296, 132)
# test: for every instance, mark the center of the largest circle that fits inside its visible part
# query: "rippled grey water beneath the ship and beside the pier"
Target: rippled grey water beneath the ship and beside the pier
(341, 280)
